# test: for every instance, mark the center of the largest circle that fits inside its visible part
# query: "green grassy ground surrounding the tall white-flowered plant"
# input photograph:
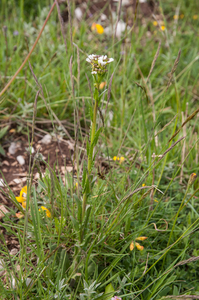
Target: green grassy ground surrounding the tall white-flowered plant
(65, 257)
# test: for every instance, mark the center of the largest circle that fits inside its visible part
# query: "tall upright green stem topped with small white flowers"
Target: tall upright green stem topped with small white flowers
(99, 69)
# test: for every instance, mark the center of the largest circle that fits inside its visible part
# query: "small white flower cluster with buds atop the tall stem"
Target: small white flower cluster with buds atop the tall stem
(99, 63)
